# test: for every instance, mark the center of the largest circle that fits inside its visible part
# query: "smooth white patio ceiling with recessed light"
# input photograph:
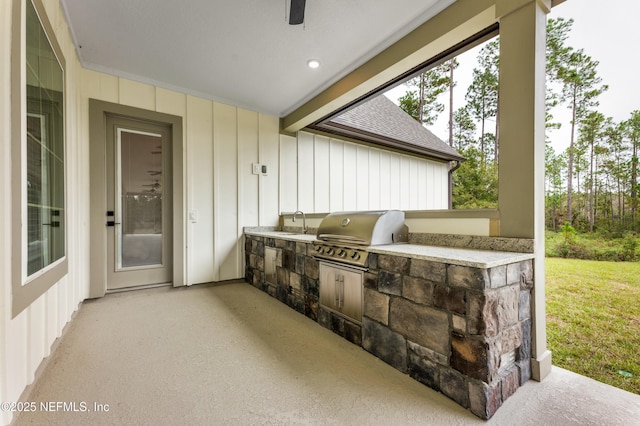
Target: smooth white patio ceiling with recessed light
(240, 52)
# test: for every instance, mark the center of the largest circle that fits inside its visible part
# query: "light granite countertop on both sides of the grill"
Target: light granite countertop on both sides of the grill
(457, 256)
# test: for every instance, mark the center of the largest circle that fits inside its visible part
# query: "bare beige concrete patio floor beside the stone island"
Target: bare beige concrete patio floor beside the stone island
(230, 354)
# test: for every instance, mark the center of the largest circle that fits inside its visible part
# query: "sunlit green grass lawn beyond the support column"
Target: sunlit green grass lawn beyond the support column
(593, 319)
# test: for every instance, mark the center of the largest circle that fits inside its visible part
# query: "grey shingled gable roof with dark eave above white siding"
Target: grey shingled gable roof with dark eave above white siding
(381, 121)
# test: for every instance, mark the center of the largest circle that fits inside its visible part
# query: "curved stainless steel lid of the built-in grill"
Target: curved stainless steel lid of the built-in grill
(367, 228)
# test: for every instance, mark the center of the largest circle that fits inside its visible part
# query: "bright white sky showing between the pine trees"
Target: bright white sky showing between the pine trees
(606, 31)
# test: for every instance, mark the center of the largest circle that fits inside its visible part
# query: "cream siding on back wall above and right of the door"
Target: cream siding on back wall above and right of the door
(220, 144)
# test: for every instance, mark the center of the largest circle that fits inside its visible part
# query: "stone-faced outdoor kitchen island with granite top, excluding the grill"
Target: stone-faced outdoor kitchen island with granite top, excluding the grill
(457, 320)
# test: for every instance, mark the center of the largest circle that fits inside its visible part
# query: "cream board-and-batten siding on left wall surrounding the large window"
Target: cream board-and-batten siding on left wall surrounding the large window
(26, 339)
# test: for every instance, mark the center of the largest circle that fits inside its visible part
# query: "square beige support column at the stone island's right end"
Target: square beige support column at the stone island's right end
(522, 144)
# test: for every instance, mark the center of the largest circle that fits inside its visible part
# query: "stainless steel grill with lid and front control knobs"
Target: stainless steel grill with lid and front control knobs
(344, 236)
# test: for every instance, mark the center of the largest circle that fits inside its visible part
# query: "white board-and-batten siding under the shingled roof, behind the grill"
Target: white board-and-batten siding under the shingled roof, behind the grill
(337, 175)
